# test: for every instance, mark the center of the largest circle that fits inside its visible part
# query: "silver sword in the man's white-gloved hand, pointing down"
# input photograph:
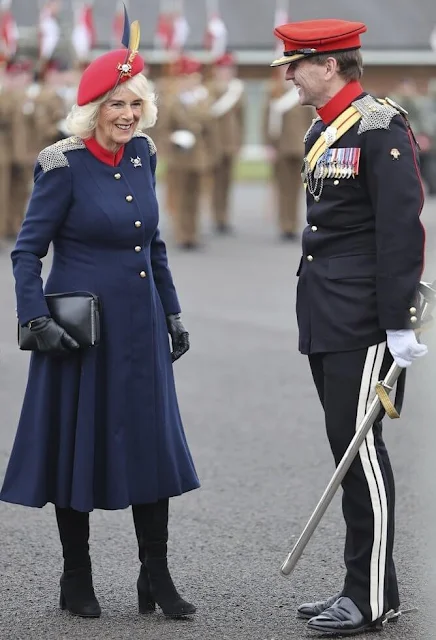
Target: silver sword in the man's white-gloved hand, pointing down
(428, 297)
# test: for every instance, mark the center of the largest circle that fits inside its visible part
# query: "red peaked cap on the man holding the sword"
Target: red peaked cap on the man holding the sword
(313, 37)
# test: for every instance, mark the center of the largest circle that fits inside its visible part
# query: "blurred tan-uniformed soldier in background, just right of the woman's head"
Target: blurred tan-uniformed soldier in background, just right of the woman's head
(193, 142)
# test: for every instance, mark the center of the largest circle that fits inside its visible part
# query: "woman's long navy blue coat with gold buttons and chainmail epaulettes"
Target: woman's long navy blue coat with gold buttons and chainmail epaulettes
(99, 429)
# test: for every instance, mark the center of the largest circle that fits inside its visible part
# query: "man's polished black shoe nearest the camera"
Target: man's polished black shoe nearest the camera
(342, 618)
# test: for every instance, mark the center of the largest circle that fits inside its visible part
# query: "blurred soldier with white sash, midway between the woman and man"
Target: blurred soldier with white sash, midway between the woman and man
(228, 93)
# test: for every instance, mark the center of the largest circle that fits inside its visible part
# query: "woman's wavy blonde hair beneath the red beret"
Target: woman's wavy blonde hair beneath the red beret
(82, 121)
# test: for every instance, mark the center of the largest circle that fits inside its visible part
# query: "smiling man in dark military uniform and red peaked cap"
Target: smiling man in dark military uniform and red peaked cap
(363, 253)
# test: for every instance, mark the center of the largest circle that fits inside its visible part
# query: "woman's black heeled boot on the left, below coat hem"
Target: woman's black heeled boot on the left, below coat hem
(77, 591)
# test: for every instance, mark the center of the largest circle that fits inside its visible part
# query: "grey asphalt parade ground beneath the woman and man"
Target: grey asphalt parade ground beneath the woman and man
(256, 432)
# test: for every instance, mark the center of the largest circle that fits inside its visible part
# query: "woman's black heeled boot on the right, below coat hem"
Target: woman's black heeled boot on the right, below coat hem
(155, 585)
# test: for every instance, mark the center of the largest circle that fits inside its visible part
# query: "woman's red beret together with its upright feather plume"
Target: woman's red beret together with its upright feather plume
(111, 69)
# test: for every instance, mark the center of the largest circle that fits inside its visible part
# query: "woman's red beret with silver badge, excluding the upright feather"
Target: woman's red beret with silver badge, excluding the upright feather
(106, 72)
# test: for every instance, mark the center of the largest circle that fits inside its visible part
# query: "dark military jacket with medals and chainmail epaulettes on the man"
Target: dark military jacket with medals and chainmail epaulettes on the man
(363, 247)
